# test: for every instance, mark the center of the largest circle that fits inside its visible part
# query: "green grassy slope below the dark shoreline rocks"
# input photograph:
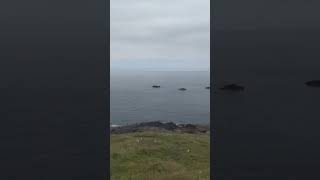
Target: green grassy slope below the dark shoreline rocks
(160, 156)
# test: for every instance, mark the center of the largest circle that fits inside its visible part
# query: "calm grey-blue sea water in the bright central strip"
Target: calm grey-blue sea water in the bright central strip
(134, 100)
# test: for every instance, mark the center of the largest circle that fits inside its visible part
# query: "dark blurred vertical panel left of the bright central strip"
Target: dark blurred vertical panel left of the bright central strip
(53, 90)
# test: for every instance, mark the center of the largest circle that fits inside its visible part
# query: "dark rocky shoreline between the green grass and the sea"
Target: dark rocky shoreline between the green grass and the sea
(162, 126)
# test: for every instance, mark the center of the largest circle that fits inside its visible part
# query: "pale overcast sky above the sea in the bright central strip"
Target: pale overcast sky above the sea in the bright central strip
(160, 35)
